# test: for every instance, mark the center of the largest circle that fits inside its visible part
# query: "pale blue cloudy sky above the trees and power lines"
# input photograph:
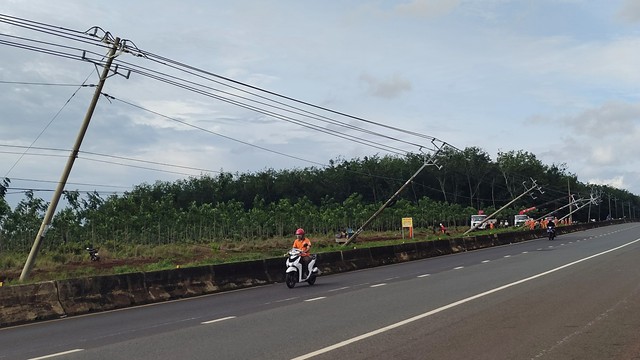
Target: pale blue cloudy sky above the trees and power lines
(558, 79)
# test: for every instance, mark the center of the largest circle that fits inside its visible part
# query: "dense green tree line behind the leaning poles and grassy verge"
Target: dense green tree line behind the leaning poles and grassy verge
(269, 203)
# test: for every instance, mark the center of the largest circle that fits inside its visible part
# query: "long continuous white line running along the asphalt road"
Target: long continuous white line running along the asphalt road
(452, 305)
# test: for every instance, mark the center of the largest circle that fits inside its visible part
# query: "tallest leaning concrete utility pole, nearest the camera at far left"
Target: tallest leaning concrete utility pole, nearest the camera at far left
(46, 222)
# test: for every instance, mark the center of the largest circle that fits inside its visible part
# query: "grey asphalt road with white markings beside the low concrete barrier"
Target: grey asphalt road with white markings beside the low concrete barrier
(577, 297)
